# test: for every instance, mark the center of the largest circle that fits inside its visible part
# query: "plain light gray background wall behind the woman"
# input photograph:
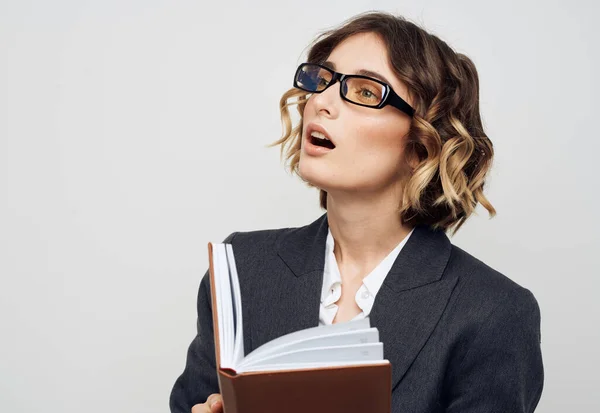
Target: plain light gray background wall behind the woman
(134, 132)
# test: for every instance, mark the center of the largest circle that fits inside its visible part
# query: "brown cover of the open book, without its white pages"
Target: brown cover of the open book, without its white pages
(362, 388)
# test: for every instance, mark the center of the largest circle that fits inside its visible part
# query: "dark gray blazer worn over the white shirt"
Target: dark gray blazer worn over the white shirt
(460, 336)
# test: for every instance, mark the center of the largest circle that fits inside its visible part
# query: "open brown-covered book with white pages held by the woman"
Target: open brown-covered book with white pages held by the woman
(334, 368)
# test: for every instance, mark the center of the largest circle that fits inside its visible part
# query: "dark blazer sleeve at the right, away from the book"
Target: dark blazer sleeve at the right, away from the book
(502, 371)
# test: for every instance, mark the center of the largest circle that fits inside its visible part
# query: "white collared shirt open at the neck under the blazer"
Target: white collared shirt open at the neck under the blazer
(365, 296)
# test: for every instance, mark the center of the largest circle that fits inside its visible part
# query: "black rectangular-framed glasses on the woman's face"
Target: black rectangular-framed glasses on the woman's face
(358, 89)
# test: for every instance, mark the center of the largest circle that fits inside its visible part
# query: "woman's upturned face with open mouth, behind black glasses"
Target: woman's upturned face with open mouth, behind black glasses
(369, 143)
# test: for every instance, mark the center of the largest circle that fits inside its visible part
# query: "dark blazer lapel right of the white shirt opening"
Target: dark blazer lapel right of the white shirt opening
(412, 298)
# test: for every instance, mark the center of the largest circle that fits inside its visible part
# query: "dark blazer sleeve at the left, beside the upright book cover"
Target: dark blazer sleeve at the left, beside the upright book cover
(199, 377)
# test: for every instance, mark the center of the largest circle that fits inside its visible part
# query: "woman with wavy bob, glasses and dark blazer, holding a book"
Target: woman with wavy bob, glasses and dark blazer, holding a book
(390, 132)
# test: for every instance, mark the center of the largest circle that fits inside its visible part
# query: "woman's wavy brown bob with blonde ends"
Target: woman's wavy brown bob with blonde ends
(446, 146)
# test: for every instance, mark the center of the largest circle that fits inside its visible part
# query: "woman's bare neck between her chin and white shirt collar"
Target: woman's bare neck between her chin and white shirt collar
(365, 229)
